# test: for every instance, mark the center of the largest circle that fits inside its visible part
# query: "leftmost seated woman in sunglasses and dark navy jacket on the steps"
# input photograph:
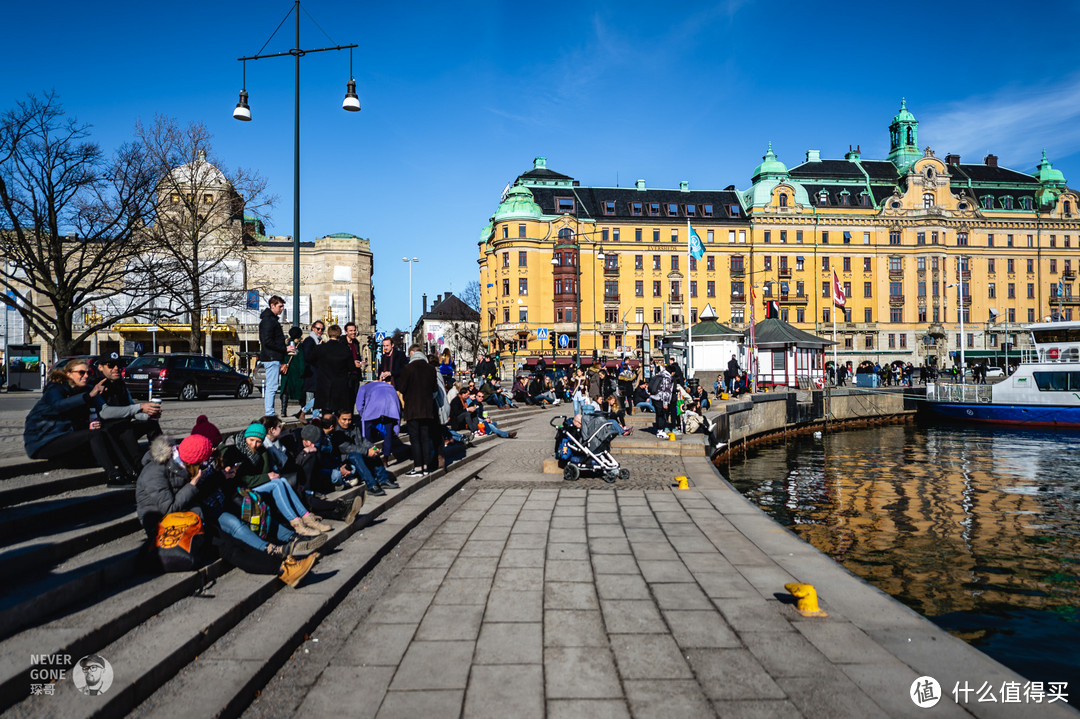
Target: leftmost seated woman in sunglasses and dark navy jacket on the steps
(65, 424)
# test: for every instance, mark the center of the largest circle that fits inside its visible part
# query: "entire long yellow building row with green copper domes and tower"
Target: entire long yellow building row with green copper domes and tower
(904, 235)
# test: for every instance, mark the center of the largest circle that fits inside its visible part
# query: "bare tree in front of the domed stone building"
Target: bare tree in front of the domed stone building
(198, 225)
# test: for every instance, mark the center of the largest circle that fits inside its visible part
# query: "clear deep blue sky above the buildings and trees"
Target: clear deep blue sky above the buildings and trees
(460, 98)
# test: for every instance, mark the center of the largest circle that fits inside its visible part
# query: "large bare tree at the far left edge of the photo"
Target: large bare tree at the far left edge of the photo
(71, 222)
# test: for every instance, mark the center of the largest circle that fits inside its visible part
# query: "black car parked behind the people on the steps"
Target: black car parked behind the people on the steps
(187, 376)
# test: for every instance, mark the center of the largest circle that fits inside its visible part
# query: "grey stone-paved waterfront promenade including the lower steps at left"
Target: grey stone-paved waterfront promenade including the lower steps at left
(496, 590)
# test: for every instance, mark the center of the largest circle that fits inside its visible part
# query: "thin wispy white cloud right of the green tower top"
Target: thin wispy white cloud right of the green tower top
(1015, 124)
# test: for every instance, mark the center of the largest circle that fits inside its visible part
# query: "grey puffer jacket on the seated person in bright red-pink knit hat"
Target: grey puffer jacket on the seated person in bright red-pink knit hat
(164, 486)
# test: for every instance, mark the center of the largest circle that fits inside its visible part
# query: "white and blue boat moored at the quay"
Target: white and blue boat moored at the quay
(1044, 391)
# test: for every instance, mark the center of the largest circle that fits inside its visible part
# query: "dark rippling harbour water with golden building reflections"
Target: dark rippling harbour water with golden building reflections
(979, 531)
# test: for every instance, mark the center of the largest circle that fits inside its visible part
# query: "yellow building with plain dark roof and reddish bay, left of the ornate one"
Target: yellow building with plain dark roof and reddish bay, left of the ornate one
(626, 249)
